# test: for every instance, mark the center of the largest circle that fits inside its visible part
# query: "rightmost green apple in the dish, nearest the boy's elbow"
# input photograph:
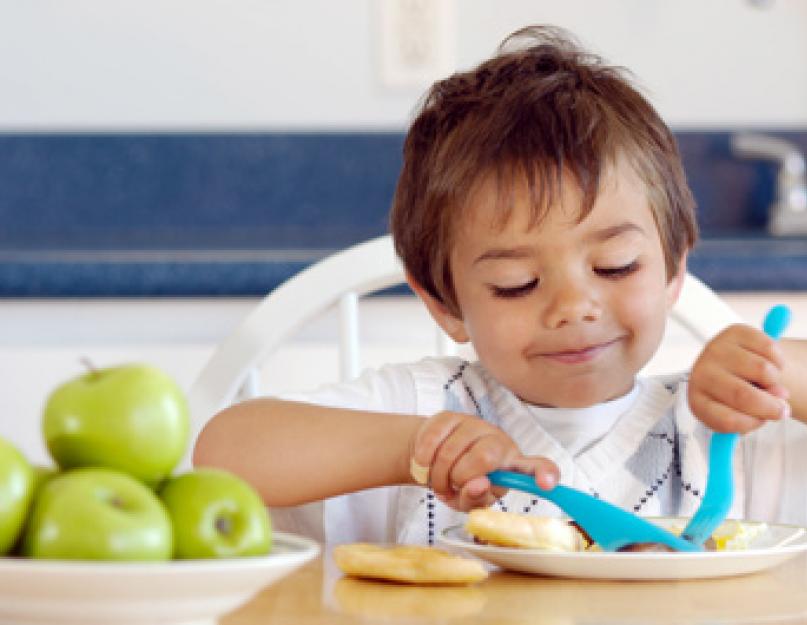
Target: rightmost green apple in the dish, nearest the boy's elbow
(216, 515)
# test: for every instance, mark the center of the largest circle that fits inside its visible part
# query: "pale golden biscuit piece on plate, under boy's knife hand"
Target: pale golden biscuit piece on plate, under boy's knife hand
(508, 529)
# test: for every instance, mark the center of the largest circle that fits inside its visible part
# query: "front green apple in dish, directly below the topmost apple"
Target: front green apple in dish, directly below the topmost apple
(97, 514)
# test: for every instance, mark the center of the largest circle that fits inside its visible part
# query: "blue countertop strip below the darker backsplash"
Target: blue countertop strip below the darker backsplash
(731, 264)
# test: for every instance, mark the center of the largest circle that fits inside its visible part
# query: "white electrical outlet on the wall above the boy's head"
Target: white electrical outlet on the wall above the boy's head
(417, 40)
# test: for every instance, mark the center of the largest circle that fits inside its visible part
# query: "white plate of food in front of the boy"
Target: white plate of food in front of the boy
(777, 544)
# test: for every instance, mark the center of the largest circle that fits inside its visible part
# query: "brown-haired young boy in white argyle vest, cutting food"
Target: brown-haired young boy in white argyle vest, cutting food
(542, 214)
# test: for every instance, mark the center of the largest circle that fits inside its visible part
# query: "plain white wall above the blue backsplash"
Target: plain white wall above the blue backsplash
(313, 64)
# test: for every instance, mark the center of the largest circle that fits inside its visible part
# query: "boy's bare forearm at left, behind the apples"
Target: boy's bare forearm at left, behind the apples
(294, 453)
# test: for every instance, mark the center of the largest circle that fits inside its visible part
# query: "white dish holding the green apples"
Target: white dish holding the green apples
(134, 593)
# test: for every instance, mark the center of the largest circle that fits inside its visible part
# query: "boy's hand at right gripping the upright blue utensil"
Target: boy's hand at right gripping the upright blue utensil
(736, 383)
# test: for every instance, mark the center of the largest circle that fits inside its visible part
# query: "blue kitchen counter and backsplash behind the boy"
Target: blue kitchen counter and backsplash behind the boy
(154, 215)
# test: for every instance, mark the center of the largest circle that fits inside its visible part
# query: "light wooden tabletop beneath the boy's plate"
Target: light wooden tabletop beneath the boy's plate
(318, 593)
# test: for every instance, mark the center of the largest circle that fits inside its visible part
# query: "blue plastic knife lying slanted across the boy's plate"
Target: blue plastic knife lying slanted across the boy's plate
(612, 528)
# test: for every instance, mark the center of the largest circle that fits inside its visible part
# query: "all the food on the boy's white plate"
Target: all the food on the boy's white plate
(509, 529)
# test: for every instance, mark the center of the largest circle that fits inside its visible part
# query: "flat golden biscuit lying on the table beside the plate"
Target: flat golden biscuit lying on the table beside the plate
(411, 564)
